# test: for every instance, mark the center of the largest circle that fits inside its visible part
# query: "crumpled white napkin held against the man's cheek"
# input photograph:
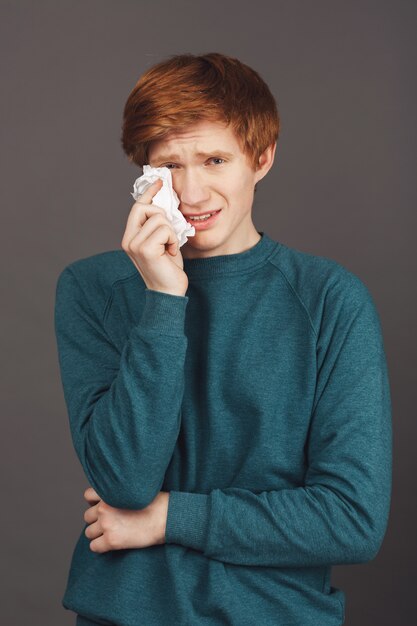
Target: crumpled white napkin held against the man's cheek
(166, 198)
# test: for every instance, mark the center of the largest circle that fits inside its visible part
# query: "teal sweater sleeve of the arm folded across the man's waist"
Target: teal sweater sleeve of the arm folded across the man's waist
(339, 514)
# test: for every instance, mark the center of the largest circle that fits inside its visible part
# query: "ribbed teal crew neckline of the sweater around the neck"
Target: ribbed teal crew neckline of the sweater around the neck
(238, 262)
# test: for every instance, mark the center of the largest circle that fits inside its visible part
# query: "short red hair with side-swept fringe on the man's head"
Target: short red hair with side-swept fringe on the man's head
(186, 89)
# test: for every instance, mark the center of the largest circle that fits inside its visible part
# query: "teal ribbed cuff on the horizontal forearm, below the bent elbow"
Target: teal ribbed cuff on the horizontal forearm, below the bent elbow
(187, 519)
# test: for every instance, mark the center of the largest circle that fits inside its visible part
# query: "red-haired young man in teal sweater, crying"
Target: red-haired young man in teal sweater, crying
(228, 400)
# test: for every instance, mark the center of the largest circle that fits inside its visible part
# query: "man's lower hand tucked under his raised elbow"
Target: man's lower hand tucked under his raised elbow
(117, 529)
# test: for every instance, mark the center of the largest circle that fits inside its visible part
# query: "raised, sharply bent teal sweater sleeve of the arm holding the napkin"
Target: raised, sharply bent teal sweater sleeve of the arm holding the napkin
(124, 408)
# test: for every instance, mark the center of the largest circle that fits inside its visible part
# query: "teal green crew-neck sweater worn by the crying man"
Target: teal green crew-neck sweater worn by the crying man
(260, 401)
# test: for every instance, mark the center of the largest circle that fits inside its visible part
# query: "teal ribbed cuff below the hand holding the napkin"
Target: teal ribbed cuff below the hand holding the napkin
(164, 312)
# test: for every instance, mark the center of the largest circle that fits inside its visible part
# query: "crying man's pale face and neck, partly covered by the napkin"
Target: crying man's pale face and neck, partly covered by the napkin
(211, 173)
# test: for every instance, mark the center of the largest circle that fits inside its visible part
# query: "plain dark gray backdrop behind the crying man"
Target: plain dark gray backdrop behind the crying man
(343, 186)
